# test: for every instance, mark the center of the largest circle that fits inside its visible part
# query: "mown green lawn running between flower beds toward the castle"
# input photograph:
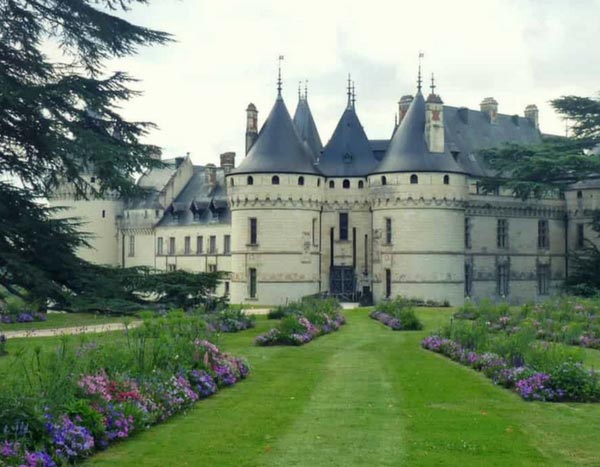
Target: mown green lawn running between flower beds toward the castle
(365, 396)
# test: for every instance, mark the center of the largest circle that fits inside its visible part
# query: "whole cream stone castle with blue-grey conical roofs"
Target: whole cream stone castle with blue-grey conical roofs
(403, 216)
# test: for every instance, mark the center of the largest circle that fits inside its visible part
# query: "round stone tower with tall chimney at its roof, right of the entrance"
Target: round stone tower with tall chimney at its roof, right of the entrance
(417, 194)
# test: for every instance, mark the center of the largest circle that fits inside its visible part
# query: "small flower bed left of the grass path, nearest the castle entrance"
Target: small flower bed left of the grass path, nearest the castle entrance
(302, 322)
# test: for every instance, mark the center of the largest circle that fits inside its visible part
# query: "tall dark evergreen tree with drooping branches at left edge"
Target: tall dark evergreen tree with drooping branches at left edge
(59, 120)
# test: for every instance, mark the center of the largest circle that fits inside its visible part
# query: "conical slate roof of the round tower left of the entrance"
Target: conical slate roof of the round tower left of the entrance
(278, 147)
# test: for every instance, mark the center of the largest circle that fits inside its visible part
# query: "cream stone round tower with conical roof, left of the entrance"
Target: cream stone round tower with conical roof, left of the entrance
(275, 199)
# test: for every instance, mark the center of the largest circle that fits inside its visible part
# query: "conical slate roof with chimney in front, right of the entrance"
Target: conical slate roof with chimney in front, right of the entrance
(408, 151)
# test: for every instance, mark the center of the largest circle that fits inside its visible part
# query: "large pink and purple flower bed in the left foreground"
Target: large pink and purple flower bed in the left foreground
(91, 410)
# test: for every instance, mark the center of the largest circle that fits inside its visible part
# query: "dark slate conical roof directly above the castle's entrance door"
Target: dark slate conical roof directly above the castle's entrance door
(348, 153)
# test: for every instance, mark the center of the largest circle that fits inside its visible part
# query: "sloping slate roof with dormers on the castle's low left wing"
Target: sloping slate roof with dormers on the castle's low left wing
(198, 202)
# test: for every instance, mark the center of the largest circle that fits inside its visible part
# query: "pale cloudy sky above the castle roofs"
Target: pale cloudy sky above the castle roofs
(225, 56)
